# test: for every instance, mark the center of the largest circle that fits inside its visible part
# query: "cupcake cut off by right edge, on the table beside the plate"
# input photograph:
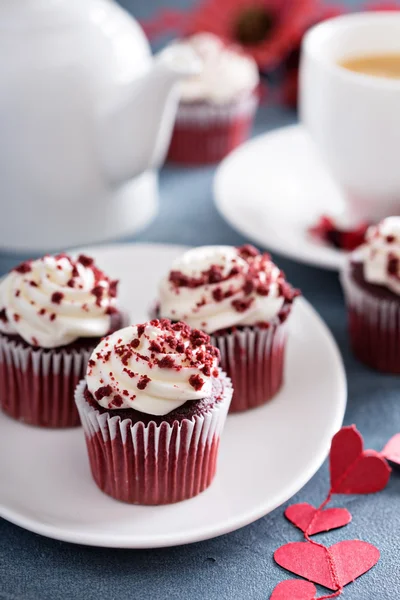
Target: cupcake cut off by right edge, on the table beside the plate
(371, 283)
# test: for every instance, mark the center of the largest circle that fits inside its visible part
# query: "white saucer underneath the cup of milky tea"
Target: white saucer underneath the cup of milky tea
(273, 188)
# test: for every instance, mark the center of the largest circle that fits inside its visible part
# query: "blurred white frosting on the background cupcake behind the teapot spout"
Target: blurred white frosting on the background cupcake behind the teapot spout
(225, 71)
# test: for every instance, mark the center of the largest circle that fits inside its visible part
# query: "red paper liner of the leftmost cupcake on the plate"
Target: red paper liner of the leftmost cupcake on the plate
(37, 386)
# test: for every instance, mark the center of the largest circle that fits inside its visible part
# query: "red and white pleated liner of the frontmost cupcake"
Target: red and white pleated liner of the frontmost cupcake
(153, 464)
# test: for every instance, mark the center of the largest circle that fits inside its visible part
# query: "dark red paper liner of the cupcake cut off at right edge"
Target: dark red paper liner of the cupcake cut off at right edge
(374, 327)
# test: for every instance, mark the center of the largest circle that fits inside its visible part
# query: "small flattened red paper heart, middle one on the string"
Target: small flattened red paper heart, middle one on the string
(312, 520)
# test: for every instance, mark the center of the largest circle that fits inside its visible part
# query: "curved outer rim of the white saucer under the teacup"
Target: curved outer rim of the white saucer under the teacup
(331, 258)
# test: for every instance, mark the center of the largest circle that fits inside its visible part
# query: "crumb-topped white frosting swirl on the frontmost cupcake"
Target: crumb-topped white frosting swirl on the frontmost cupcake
(154, 368)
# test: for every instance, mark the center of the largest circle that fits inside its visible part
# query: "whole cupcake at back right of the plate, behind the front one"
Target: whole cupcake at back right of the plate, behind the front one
(240, 298)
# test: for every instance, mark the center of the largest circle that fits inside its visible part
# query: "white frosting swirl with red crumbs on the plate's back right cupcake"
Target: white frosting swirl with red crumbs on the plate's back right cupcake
(217, 287)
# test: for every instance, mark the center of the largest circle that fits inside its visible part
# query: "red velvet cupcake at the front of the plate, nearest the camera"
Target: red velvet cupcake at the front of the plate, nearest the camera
(153, 406)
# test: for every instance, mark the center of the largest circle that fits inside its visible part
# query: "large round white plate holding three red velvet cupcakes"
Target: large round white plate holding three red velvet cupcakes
(267, 454)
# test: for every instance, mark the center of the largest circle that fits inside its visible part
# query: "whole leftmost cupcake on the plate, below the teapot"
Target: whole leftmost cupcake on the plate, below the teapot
(53, 312)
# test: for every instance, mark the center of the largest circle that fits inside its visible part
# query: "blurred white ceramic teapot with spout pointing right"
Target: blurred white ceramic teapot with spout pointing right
(85, 118)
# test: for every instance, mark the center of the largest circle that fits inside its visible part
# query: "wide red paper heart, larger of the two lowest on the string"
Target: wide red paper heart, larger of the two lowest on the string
(352, 558)
